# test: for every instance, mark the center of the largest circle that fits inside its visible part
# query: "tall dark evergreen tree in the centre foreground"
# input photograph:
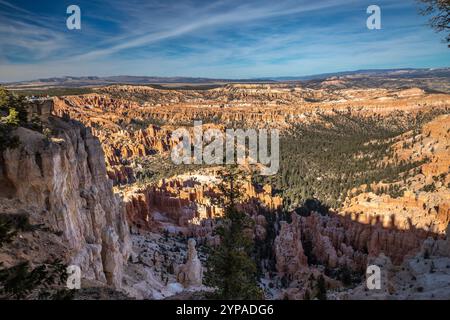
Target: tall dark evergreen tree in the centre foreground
(230, 268)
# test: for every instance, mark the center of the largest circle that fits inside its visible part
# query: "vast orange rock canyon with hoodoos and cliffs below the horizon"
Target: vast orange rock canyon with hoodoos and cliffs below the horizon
(102, 181)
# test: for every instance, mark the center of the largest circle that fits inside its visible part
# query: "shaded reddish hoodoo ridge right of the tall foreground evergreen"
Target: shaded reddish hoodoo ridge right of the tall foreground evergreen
(337, 241)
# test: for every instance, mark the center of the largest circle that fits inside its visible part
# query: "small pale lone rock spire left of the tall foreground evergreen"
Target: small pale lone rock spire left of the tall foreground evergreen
(191, 273)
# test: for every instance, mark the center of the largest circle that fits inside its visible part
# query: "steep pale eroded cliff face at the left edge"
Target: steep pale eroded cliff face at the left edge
(61, 181)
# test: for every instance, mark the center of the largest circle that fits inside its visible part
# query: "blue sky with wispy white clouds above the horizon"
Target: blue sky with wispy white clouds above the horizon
(232, 39)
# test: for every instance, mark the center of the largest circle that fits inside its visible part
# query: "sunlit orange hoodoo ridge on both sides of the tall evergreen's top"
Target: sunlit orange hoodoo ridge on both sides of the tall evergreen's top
(186, 202)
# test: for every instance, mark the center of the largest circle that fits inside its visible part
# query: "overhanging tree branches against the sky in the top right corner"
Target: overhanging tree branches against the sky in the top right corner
(440, 12)
